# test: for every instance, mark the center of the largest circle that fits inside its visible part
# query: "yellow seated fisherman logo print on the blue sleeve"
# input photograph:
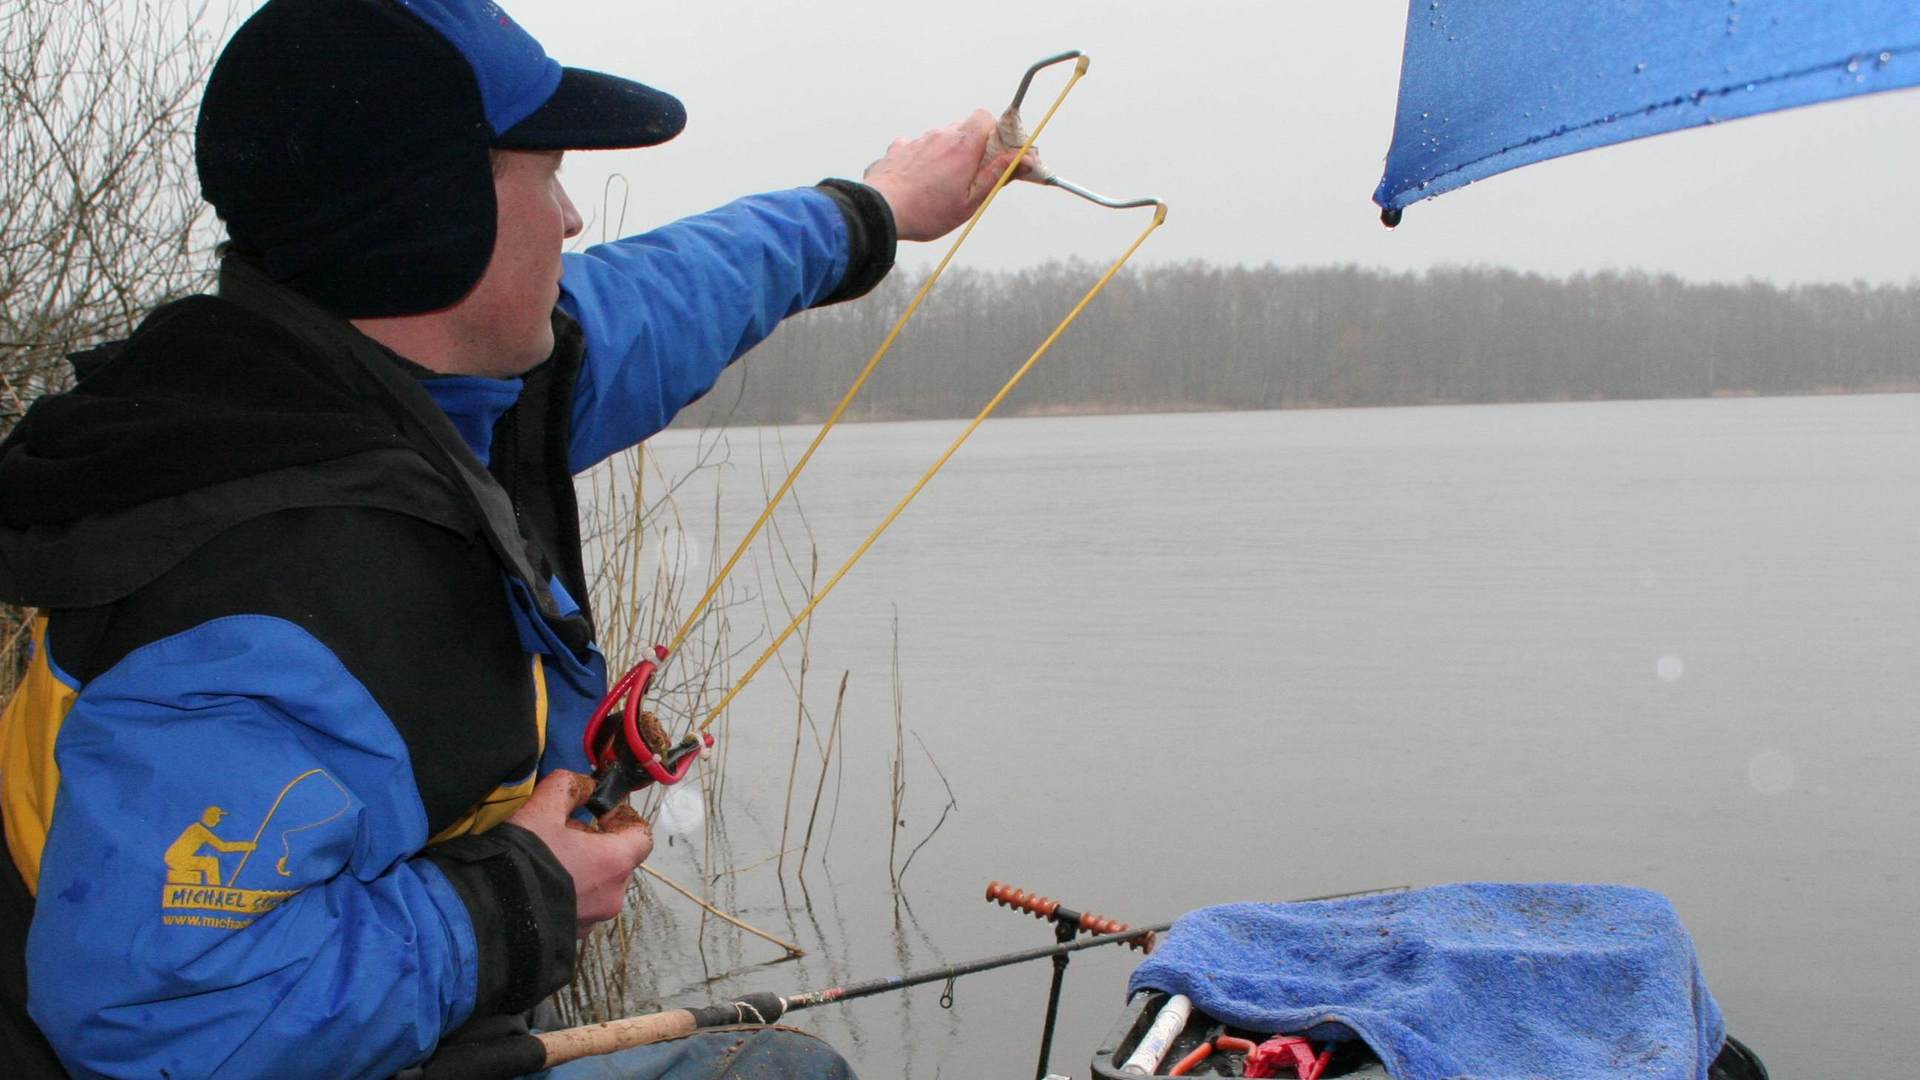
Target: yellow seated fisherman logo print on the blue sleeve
(220, 875)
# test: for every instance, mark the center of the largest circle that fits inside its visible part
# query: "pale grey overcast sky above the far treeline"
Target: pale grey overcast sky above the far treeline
(1262, 124)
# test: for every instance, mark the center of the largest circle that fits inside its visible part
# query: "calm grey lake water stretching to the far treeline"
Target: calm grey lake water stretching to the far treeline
(1182, 660)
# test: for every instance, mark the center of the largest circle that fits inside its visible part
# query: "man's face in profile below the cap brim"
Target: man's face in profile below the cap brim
(506, 318)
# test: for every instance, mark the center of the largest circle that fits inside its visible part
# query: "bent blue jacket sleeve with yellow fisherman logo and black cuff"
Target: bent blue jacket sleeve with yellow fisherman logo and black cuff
(231, 883)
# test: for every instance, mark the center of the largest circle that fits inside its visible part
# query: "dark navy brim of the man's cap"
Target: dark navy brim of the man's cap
(590, 110)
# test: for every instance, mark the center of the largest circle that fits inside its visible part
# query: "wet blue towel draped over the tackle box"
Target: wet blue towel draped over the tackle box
(1460, 983)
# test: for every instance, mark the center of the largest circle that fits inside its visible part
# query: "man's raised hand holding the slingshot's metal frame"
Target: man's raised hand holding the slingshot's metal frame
(938, 182)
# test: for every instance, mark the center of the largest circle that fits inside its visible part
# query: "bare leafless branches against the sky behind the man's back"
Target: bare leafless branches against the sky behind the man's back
(101, 214)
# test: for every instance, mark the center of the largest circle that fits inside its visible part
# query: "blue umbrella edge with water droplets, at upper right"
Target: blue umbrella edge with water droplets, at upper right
(1493, 86)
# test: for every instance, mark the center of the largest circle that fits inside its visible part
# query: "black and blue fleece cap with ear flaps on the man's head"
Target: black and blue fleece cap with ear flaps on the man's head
(347, 141)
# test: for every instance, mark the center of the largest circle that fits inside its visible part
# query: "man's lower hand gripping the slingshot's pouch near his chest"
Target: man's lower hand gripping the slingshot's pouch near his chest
(600, 860)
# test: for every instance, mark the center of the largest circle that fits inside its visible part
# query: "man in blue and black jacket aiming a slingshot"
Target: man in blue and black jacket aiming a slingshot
(306, 552)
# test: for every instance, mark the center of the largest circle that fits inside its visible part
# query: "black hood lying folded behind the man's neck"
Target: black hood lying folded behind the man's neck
(222, 410)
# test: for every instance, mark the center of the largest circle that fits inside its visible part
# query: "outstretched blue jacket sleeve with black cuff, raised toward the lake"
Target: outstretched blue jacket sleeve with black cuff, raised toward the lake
(665, 312)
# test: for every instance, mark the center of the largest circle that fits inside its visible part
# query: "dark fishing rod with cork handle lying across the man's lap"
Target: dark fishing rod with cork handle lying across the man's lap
(523, 1054)
